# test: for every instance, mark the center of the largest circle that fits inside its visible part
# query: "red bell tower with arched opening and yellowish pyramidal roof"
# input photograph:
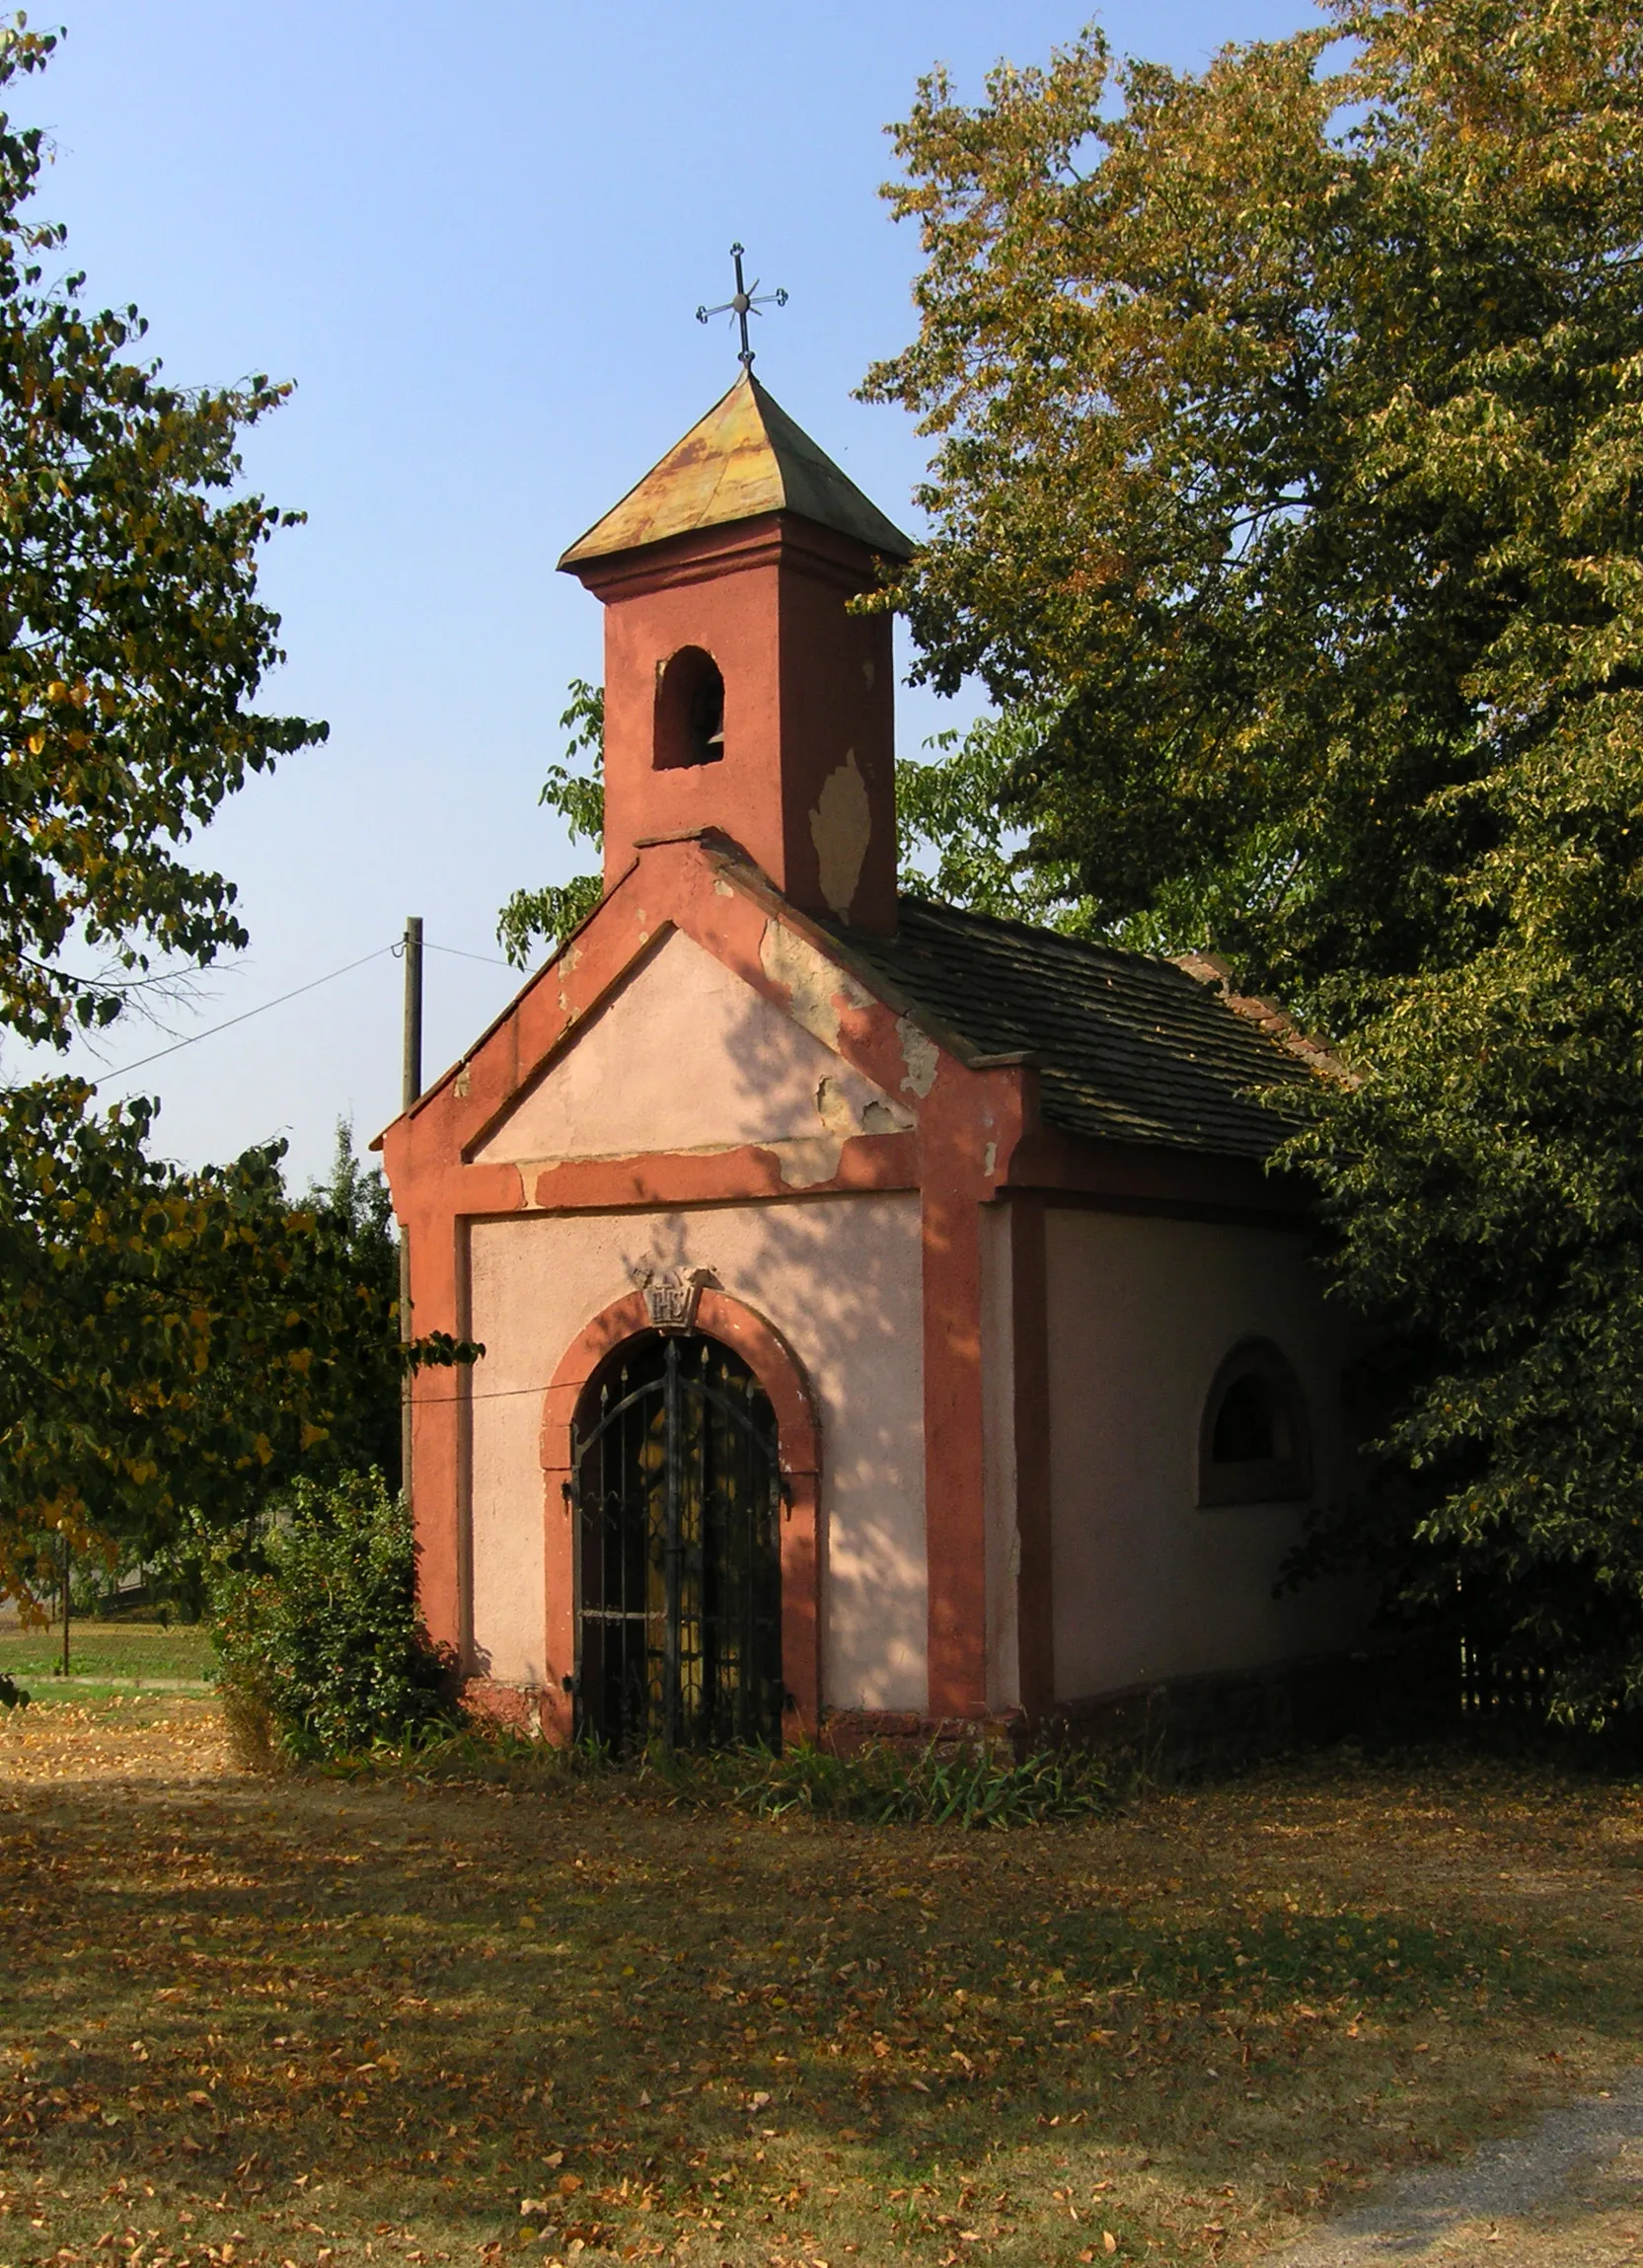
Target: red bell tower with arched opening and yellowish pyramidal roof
(740, 691)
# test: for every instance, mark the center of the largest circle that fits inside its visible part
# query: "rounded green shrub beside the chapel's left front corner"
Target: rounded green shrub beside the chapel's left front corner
(321, 1648)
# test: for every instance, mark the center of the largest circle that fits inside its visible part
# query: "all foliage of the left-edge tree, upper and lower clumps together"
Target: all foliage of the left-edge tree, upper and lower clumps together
(171, 1342)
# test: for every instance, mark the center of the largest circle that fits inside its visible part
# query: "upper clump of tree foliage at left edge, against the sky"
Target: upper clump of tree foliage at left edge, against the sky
(133, 638)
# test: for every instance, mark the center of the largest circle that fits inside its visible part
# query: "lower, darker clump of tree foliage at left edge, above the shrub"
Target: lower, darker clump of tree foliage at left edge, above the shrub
(176, 1344)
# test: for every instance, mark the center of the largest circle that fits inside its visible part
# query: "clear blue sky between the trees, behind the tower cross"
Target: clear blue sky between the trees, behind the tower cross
(477, 242)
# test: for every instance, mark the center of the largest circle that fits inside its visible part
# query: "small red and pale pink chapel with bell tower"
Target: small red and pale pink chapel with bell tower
(889, 1321)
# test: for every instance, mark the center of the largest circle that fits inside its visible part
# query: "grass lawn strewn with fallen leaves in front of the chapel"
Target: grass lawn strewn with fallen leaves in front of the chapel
(318, 2024)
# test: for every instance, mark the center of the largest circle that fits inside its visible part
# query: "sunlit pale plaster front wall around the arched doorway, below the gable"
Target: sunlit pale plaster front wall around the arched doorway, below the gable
(842, 1280)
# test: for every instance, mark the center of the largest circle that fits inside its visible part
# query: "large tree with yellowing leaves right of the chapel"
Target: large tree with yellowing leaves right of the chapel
(1291, 464)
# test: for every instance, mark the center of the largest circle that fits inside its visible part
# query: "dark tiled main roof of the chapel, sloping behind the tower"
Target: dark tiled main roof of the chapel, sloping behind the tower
(1130, 1049)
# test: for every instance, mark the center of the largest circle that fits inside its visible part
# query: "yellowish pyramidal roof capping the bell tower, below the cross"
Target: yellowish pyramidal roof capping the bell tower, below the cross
(744, 459)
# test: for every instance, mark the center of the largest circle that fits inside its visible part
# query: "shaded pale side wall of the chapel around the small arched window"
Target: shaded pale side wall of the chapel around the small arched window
(1146, 1584)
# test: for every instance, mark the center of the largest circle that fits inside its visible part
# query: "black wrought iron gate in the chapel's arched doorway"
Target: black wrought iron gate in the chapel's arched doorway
(679, 1552)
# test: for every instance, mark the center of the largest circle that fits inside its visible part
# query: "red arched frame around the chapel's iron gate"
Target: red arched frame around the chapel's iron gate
(799, 1446)
